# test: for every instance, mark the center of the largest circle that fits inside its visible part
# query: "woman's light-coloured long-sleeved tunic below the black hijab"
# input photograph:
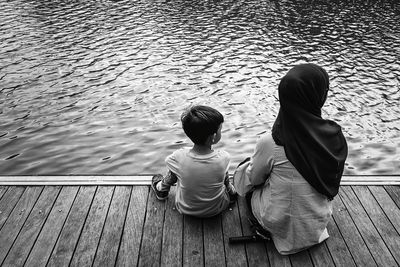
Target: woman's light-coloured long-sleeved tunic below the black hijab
(283, 202)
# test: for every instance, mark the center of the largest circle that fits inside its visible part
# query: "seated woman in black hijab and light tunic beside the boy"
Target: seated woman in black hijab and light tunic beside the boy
(295, 172)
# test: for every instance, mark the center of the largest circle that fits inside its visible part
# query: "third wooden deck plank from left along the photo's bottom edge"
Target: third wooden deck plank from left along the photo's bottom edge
(69, 235)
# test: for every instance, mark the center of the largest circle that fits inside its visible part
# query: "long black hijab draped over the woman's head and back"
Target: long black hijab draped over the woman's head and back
(316, 147)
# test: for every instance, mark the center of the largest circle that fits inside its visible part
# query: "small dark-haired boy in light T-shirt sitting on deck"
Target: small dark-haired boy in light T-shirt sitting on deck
(201, 173)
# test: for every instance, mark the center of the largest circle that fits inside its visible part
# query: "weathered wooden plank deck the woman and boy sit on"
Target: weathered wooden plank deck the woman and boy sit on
(128, 226)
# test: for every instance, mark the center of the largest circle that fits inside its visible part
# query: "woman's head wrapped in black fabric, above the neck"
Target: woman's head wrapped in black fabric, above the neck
(304, 86)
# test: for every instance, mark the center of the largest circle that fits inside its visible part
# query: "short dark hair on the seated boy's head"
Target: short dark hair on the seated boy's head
(199, 122)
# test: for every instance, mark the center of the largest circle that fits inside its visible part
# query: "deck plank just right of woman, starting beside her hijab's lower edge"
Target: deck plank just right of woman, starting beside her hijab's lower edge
(370, 235)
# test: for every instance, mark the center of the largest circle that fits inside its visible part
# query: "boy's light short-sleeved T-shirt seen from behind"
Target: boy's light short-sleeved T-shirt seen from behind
(200, 188)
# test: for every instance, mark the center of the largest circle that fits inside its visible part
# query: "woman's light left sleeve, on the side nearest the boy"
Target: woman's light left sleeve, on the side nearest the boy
(255, 171)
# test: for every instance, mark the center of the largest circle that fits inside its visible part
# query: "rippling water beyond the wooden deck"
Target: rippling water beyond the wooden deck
(97, 87)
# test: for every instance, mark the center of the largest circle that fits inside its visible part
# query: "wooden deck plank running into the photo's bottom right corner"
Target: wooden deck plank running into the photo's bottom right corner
(386, 230)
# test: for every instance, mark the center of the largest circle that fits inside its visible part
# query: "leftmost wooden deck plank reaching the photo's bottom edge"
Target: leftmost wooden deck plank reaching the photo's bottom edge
(32, 227)
